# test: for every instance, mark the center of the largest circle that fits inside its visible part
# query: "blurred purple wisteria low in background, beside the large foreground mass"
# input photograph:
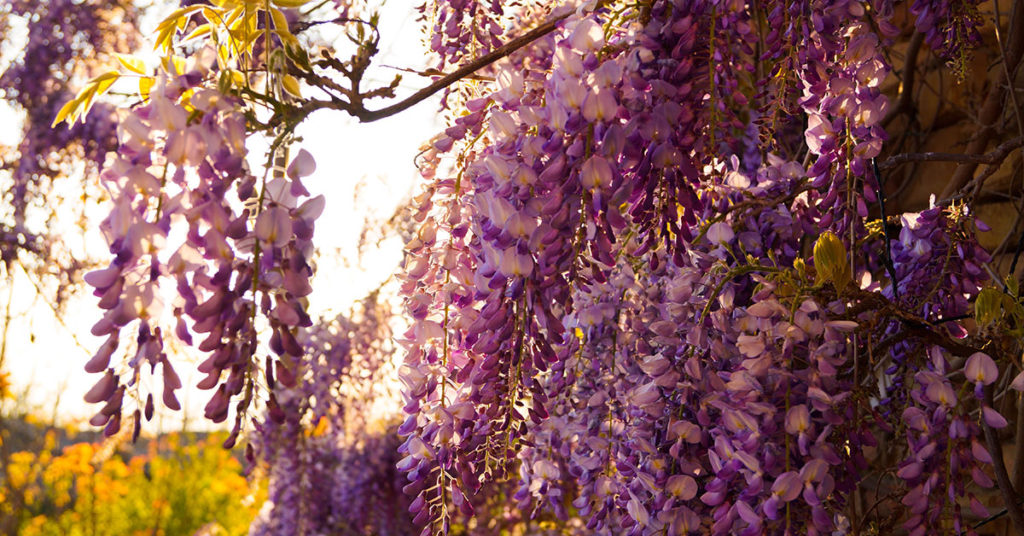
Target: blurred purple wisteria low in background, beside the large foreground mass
(331, 453)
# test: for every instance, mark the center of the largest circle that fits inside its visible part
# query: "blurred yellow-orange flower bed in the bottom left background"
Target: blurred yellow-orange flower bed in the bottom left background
(60, 483)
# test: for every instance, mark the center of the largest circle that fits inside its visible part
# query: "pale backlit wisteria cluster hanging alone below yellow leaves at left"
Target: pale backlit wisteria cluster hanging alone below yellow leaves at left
(183, 156)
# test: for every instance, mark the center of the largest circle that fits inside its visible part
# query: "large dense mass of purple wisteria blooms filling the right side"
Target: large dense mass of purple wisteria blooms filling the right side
(636, 322)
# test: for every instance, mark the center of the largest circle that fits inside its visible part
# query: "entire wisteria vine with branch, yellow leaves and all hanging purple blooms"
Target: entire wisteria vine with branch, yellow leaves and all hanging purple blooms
(652, 283)
